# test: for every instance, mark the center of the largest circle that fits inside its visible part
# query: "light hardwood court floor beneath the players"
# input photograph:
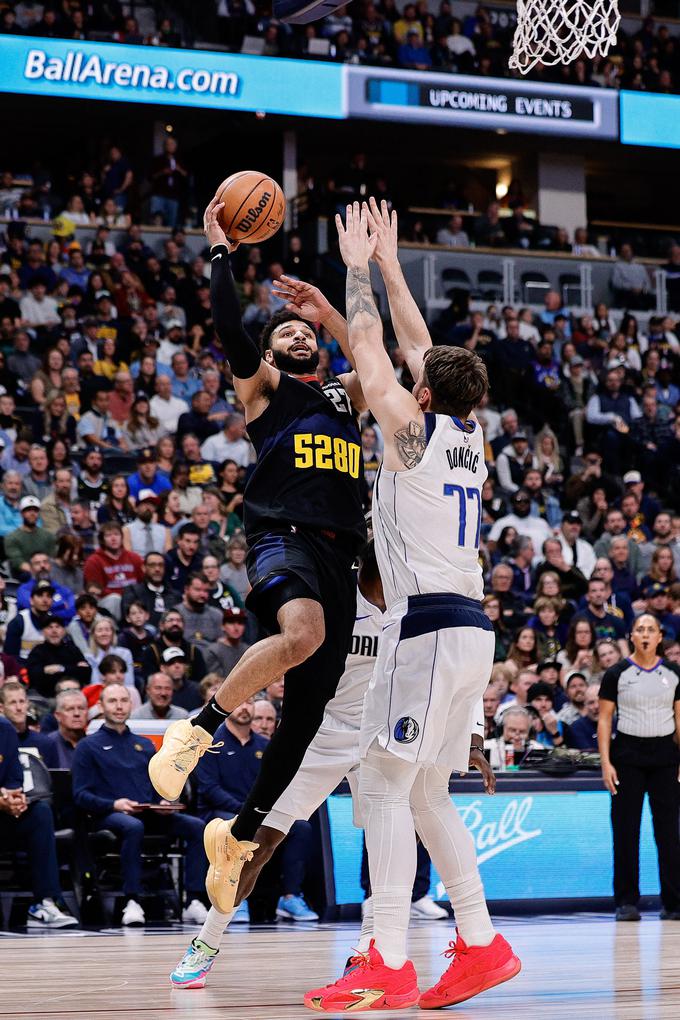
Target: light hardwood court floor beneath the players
(584, 966)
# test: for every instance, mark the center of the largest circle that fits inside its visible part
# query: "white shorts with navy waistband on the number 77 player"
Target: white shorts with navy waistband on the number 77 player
(435, 661)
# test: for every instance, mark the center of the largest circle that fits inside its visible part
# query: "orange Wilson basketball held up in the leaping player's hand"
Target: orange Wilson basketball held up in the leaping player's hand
(254, 207)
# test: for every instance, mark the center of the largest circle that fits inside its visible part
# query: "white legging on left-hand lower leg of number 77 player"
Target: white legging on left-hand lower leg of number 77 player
(385, 786)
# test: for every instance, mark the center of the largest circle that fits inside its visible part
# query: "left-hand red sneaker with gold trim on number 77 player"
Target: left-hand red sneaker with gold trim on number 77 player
(368, 985)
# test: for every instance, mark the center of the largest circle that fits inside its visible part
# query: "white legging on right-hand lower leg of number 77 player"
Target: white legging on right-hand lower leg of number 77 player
(452, 849)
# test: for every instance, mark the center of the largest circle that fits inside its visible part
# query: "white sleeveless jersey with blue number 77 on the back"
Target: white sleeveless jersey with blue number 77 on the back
(428, 521)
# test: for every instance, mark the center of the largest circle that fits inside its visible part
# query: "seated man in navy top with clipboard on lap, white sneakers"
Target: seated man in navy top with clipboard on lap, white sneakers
(112, 783)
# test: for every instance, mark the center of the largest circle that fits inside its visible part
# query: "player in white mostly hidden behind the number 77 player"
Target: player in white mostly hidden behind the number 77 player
(333, 756)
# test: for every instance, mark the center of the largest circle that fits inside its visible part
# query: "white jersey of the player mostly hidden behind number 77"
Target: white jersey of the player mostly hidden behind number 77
(348, 704)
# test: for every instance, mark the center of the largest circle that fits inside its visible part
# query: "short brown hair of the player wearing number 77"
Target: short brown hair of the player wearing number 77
(457, 380)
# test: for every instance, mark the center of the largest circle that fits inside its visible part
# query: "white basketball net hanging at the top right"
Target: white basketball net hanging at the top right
(552, 32)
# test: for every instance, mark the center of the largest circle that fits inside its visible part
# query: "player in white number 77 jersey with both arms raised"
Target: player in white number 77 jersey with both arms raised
(437, 649)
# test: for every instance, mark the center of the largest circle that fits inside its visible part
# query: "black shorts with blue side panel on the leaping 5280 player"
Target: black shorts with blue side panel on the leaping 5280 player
(290, 563)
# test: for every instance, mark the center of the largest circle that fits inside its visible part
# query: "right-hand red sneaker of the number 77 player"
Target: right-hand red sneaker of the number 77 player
(474, 970)
